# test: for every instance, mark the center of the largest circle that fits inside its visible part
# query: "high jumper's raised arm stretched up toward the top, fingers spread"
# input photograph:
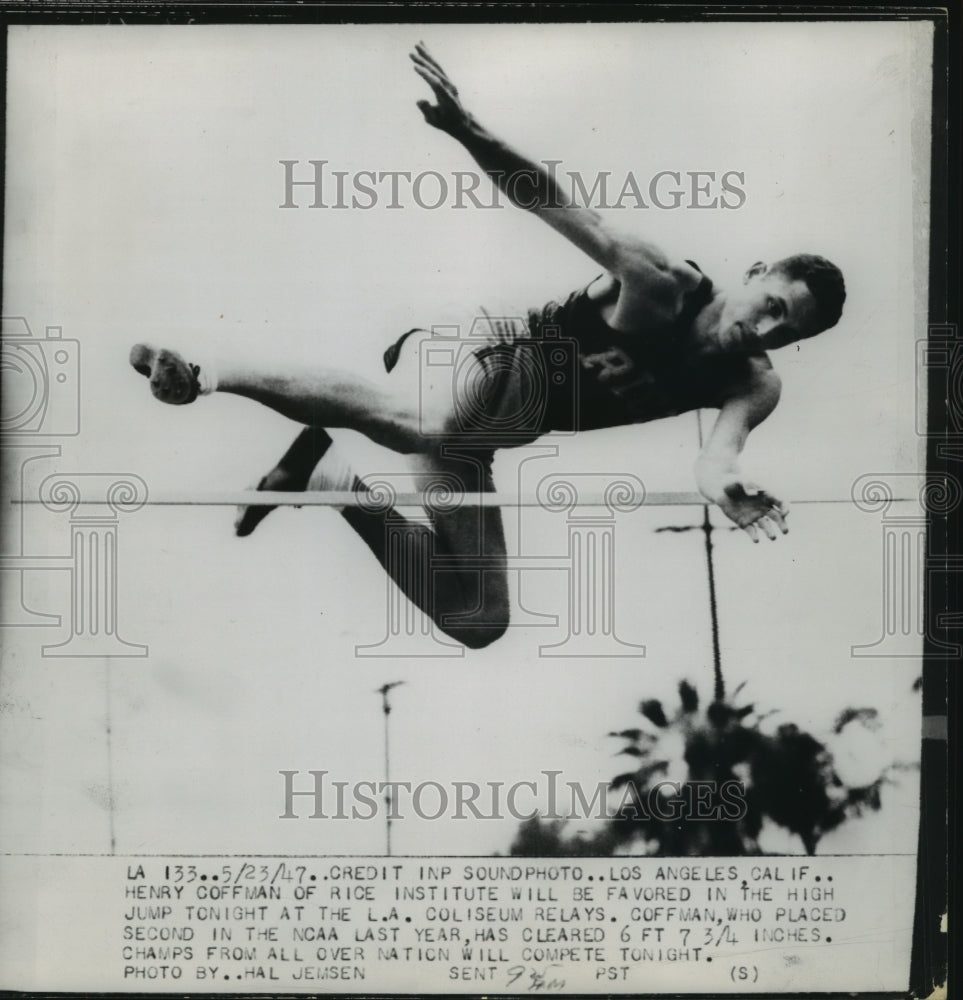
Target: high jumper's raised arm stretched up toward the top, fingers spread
(528, 184)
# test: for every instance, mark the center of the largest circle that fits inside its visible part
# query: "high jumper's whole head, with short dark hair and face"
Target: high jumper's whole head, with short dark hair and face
(778, 304)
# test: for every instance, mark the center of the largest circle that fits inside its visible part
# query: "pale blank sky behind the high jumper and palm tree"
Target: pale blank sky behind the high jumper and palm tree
(142, 203)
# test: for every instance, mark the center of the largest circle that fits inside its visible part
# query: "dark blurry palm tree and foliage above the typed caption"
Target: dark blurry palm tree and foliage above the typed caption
(730, 777)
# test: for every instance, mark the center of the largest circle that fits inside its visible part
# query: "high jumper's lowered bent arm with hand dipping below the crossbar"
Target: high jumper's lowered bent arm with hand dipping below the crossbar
(717, 468)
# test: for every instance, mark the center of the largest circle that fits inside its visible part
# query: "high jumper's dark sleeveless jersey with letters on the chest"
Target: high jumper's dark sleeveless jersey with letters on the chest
(624, 378)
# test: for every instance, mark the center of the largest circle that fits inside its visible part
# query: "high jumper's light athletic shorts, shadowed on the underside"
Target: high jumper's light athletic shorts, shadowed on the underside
(507, 385)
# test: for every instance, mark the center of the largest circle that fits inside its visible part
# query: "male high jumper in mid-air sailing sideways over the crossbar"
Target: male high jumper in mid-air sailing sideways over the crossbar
(653, 338)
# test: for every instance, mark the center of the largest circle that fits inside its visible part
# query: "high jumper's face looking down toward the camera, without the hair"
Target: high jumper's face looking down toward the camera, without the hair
(767, 312)
